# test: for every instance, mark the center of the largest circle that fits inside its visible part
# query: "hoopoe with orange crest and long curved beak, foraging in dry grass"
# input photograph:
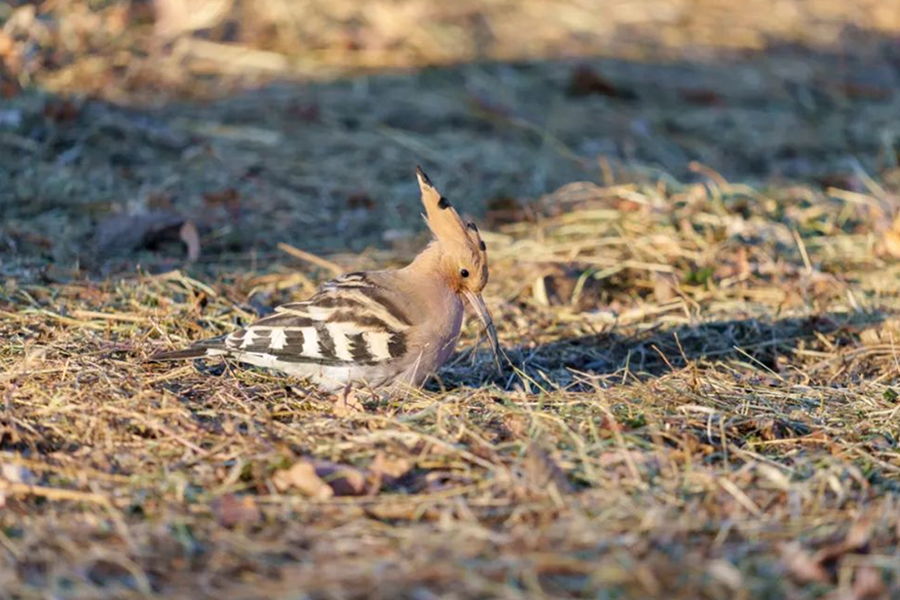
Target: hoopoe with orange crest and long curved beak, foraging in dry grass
(375, 328)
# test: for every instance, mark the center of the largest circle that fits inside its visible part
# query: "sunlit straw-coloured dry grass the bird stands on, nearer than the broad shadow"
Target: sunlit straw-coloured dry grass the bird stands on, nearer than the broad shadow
(708, 442)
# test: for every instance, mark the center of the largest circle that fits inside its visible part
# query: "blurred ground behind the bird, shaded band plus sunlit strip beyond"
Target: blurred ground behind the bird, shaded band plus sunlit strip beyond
(230, 125)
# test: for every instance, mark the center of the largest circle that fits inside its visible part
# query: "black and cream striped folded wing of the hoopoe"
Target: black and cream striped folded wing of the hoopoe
(350, 321)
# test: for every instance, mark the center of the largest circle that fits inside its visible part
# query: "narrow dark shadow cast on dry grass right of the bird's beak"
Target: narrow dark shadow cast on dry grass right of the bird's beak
(763, 348)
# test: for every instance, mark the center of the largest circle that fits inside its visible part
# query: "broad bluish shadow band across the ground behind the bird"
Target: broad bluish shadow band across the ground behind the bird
(89, 188)
